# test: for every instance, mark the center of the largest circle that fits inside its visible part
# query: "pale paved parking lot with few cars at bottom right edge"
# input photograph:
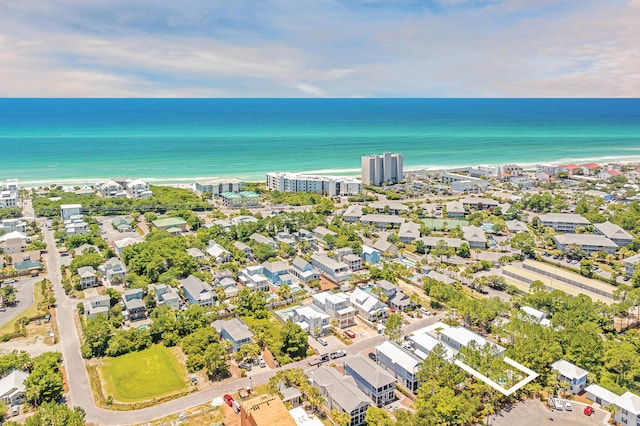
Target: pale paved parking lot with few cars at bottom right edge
(535, 413)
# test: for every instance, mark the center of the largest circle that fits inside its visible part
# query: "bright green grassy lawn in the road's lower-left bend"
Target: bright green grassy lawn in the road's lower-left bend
(143, 375)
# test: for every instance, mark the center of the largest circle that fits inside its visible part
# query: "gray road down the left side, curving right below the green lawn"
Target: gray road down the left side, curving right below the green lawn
(80, 393)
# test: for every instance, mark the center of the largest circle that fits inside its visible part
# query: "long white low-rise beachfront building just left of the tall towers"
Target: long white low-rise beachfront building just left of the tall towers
(326, 185)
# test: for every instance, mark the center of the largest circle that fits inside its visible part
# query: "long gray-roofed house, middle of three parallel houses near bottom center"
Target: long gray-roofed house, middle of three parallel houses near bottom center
(371, 379)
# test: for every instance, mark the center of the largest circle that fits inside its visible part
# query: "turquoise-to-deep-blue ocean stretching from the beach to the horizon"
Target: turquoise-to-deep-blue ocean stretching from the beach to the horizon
(46, 141)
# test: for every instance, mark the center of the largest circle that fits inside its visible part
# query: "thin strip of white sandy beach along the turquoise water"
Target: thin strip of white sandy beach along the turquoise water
(187, 182)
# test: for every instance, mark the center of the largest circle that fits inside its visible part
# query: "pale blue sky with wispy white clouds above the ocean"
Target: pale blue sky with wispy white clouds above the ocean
(320, 48)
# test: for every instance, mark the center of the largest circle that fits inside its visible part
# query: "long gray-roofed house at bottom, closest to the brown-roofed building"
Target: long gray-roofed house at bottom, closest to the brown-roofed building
(341, 393)
